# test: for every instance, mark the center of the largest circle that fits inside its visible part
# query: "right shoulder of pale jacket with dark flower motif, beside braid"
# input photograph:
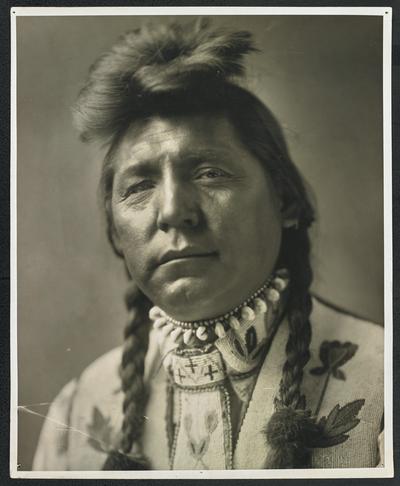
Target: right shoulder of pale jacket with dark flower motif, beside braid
(346, 364)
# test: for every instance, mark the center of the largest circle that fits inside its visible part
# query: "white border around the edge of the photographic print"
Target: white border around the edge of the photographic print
(384, 472)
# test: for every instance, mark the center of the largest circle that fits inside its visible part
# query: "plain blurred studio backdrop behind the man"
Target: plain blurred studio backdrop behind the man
(321, 76)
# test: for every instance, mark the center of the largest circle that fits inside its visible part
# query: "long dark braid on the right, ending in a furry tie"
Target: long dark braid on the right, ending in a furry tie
(287, 429)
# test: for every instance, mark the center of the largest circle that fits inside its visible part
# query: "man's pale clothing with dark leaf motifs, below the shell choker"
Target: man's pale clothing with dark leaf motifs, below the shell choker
(188, 417)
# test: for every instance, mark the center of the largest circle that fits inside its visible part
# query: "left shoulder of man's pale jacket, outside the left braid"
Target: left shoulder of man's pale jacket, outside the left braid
(83, 417)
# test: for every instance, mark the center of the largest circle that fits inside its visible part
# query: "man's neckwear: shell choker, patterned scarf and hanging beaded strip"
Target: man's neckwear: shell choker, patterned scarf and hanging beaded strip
(210, 364)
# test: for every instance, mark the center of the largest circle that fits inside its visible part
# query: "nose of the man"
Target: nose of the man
(178, 206)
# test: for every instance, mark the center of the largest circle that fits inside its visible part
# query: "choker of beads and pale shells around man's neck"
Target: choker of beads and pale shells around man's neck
(202, 330)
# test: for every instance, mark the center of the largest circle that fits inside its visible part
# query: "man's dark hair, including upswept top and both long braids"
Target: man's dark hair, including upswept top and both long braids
(185, 69)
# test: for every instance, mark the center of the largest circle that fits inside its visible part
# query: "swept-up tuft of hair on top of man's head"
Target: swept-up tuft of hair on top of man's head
(150, 62)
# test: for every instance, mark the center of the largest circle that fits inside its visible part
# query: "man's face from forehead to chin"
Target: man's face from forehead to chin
(195, 215)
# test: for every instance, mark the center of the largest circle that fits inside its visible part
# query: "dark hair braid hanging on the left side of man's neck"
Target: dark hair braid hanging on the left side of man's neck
(136, 394)
